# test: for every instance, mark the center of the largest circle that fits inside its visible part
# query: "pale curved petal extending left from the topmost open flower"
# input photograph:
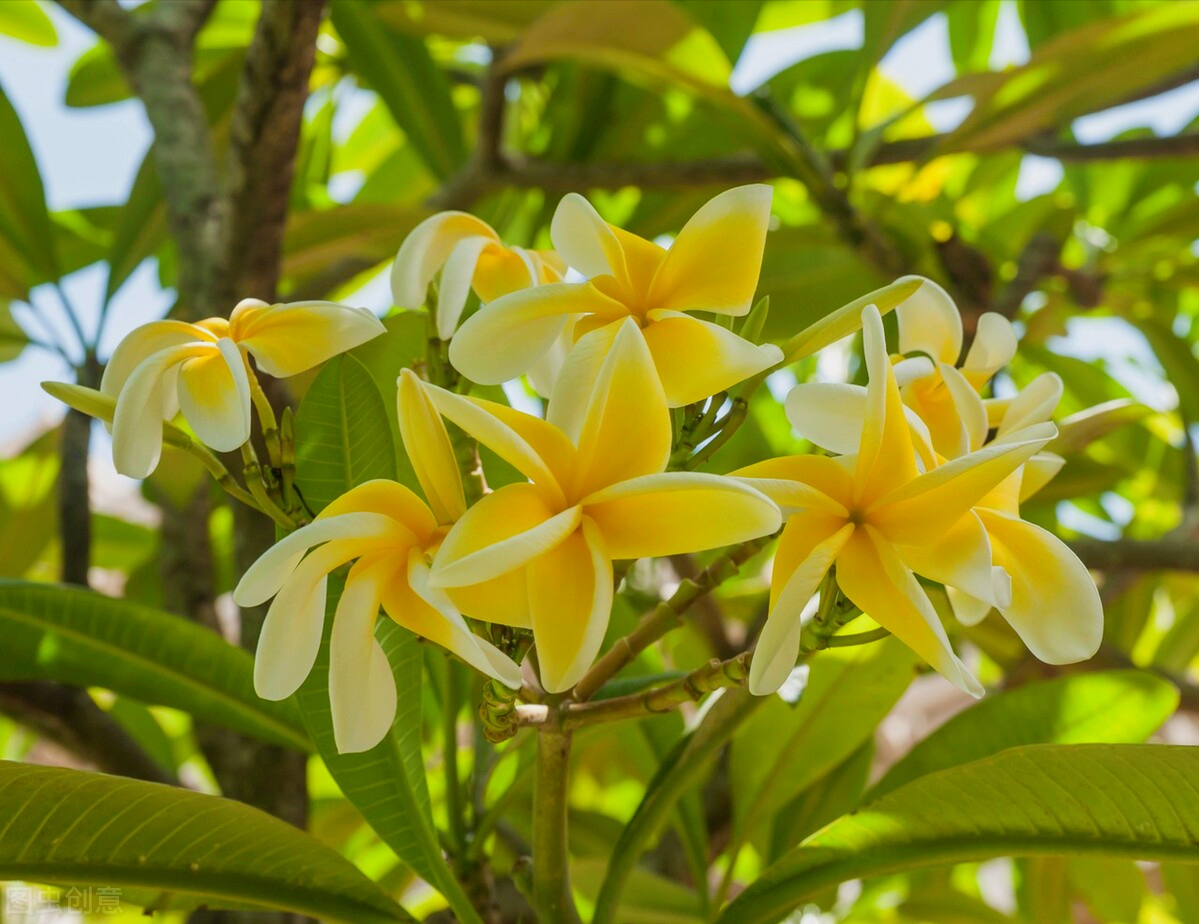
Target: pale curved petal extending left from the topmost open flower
(507, 337)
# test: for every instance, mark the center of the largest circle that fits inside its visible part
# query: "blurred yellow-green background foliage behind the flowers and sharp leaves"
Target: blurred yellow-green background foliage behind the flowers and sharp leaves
(499, 108)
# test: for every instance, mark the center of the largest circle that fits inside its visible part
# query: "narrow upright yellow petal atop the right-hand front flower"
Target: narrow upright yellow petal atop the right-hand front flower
(887, 458)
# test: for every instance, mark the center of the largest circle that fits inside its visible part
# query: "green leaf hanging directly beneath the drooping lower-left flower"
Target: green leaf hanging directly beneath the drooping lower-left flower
(387, 784)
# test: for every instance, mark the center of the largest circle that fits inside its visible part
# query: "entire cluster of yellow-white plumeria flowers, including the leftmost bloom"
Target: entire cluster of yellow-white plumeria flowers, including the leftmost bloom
(925, 475)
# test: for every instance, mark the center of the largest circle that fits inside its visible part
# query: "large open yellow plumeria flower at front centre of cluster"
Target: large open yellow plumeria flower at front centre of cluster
(598, 492)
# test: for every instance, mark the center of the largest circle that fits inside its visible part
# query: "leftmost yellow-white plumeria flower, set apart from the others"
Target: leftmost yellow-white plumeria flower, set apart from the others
(201, 369)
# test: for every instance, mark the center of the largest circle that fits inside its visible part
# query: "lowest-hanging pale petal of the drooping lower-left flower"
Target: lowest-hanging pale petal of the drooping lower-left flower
(361, 686)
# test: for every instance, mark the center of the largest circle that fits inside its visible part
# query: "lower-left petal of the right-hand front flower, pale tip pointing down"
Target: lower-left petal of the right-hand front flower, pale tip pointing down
(806, 551)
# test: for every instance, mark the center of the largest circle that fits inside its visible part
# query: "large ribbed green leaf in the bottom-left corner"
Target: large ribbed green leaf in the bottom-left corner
(184, 849)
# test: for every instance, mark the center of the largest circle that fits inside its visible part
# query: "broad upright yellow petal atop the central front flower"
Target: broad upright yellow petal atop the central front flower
(626, 426)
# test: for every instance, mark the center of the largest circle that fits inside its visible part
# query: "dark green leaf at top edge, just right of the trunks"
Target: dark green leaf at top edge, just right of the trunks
(401, 70)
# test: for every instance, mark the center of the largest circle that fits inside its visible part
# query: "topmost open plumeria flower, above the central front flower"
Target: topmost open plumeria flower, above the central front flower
(713, 267)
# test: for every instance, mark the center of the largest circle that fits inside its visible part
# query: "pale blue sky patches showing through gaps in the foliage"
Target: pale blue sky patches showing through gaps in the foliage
(91, 156)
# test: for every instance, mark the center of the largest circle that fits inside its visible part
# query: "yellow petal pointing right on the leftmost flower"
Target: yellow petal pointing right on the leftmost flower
(287, 340)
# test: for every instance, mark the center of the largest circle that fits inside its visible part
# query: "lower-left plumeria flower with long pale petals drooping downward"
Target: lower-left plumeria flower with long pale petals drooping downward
(390, 534)
